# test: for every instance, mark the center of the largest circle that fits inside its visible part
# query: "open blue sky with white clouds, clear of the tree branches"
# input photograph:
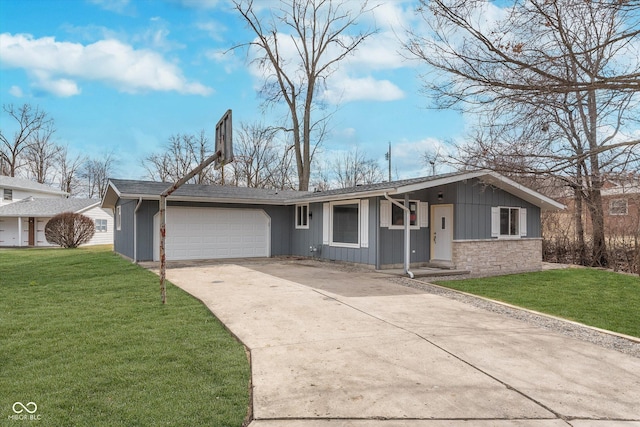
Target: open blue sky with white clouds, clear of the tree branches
(122, 76)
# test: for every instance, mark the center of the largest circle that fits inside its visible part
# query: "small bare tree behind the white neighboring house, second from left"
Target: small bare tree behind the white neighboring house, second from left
(42, 154)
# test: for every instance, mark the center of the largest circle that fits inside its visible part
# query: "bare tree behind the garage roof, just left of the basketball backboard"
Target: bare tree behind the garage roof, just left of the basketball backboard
(182, 153)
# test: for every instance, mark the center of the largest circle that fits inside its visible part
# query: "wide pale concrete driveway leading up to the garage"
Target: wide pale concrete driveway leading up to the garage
(330, 347)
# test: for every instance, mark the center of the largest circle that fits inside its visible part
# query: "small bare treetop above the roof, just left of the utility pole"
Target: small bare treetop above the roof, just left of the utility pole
(353, 168)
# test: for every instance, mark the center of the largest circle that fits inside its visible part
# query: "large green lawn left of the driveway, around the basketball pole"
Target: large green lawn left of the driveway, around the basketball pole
(83, 335)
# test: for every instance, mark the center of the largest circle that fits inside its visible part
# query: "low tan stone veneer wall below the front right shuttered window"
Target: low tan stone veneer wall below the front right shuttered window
(497, 256)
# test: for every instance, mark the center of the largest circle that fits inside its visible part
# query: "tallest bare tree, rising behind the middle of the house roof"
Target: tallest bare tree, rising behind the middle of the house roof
(318, 32)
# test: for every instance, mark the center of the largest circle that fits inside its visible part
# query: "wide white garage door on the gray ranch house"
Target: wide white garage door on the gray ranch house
(213, 233)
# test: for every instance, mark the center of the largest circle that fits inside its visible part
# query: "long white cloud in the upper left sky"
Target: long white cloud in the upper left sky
(55, 66)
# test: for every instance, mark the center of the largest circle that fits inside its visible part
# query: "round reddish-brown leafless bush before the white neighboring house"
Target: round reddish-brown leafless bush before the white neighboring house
(69, 229)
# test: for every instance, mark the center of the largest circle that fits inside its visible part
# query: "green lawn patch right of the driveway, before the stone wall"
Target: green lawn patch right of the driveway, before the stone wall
(597, 298)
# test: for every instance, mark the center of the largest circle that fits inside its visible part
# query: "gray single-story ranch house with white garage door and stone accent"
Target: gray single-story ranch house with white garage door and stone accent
(478, 221)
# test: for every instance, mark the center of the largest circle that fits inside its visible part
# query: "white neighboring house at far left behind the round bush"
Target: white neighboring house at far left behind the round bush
(27, 206)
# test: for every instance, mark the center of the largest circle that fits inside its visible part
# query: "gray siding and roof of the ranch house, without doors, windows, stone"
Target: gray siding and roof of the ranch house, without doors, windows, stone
(469, 193)
